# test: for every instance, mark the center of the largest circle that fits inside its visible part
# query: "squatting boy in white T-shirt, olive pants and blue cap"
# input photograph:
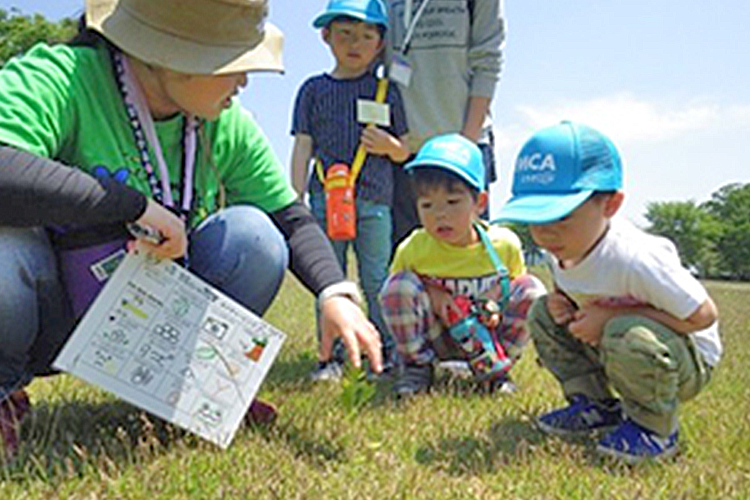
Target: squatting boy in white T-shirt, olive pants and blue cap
(628, 331)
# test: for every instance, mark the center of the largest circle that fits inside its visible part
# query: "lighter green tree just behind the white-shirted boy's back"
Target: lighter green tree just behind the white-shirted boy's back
(691, 228)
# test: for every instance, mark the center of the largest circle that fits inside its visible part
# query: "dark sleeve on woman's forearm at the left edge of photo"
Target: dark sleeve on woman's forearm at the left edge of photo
(38, 191)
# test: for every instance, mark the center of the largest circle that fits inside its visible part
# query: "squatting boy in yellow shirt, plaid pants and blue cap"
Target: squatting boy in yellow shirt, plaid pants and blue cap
(458, 287)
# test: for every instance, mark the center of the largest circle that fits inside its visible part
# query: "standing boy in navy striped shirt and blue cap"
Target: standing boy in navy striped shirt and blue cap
(333, 115)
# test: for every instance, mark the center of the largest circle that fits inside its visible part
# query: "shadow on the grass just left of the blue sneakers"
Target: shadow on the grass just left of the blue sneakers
(508, 441)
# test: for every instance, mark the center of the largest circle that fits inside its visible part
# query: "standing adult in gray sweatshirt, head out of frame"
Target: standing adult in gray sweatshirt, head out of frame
(446, 56)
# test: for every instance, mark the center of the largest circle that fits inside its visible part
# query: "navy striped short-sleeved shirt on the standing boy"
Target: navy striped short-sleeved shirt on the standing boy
(326, 110)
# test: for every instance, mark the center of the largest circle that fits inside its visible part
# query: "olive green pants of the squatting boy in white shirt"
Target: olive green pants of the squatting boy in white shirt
(648, 366)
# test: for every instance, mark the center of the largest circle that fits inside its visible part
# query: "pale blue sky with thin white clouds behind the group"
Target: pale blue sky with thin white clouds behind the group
(668, 81)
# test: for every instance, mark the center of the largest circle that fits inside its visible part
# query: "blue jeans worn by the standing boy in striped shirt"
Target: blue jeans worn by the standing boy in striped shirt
(372, 246)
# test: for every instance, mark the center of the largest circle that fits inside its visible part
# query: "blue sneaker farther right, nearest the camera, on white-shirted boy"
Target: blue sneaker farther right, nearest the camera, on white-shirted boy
(632, 444)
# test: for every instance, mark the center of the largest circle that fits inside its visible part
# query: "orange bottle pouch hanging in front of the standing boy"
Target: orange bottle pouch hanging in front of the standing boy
(341, 214)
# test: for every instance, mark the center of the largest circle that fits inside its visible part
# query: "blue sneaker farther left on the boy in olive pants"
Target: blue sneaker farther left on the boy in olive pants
(581, 416)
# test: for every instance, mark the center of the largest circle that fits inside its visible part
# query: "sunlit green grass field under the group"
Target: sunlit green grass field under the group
(82, 443)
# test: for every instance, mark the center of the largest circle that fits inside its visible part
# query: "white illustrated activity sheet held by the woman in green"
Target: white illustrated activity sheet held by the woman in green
(164, 340)
